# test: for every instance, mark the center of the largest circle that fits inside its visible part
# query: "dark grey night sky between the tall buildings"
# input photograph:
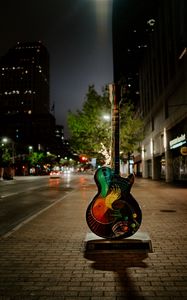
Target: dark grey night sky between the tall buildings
(78, 36)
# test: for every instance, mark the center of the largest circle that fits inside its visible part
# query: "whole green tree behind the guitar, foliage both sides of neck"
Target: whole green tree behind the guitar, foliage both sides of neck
(91, 135)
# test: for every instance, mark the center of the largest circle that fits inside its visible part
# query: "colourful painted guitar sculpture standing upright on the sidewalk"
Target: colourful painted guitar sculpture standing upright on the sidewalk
(113, 213)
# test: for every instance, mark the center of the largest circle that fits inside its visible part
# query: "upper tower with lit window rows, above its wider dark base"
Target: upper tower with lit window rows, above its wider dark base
(24, 79)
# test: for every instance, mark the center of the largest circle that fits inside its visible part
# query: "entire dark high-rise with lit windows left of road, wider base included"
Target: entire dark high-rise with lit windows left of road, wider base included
(24, 97)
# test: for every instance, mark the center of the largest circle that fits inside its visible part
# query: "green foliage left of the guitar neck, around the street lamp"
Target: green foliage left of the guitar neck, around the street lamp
(87, 127)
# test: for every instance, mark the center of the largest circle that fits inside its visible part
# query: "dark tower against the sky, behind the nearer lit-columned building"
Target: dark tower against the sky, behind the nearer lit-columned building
(133, 22)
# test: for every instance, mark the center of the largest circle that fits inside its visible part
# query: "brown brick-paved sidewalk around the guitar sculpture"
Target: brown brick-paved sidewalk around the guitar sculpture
(45, 258)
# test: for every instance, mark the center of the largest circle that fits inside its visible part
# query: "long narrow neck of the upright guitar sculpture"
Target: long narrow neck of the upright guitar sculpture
(115, 162)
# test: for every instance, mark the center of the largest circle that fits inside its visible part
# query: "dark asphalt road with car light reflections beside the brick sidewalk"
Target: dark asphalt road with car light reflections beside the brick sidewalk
(22, 198)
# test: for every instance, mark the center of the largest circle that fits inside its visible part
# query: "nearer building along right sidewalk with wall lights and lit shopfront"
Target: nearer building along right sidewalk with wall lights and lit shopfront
(163, 96)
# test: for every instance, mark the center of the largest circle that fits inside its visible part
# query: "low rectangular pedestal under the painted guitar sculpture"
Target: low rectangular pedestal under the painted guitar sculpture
(139, 242)
